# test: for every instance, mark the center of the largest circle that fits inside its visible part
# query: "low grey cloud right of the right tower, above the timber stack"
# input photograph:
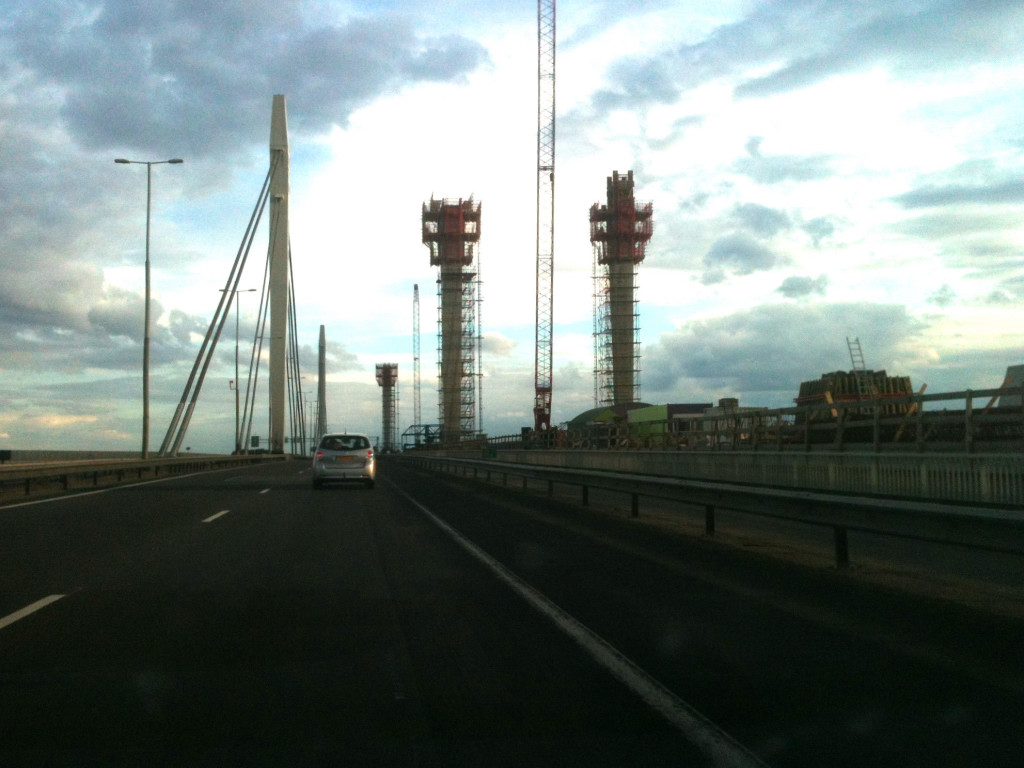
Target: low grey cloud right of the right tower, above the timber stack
(773, 348)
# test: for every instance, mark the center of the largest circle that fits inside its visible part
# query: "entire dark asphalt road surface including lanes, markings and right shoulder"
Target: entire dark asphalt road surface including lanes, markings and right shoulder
(240, 618)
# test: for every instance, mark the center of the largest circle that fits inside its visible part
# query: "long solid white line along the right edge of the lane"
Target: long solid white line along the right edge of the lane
(722, 749)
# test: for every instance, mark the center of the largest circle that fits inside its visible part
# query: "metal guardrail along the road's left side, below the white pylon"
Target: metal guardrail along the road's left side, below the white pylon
(40, 479)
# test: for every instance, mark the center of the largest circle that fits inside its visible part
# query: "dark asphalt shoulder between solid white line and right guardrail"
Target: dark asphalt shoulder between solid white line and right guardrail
(807, 667)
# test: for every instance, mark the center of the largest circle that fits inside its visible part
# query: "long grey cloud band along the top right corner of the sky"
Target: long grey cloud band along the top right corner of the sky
(814, 41)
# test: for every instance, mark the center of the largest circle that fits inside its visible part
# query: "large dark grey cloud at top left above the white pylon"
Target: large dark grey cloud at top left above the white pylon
(197, 78)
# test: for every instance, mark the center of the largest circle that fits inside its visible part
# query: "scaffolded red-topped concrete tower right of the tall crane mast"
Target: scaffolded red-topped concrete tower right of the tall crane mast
(619, 231)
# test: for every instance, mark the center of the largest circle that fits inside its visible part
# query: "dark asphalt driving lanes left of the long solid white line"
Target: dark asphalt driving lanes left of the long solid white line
(241, 618)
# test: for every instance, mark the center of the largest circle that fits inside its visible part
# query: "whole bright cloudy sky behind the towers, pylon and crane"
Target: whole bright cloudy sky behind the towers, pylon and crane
(820, 169)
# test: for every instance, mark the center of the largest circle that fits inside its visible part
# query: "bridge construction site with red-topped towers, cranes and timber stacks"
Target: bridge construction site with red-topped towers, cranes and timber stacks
(839, 408)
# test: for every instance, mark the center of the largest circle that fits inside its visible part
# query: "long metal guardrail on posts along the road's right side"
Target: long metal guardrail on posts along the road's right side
(987, 529)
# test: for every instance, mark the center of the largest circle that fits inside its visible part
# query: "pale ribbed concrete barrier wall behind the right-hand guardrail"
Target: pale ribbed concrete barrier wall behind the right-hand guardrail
(994, 479)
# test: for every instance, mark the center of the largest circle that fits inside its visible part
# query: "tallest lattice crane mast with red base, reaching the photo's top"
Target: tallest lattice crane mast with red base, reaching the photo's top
(545, 210)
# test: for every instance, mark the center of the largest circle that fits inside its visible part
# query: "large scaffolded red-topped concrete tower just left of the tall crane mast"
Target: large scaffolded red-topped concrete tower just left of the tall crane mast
(452, 232)
